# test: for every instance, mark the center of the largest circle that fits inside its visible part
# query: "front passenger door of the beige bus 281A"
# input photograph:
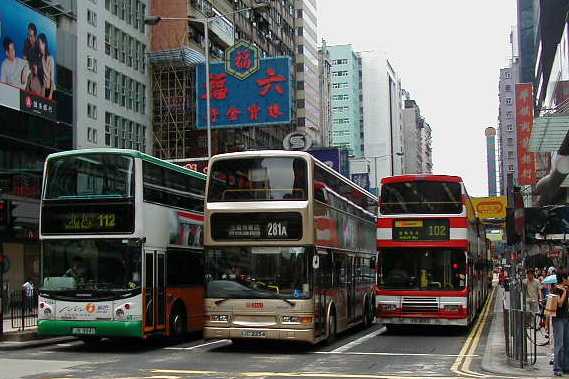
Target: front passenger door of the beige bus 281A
(322, 285)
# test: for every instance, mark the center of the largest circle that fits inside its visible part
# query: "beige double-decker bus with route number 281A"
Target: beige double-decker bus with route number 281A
(290, 248)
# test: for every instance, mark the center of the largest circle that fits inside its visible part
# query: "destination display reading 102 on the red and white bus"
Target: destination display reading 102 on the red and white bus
(421, 230)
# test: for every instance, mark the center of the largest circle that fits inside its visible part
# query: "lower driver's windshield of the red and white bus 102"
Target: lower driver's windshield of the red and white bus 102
(422, 269)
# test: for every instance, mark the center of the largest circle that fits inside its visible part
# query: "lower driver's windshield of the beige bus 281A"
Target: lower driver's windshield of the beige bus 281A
(257, 273)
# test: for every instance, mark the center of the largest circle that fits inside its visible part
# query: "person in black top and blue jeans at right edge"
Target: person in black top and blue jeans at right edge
(561, 327)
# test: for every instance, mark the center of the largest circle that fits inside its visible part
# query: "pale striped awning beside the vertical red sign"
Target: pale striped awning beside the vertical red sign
(548, 133)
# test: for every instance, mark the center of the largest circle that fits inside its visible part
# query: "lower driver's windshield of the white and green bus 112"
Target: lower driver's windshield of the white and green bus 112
(91, 265)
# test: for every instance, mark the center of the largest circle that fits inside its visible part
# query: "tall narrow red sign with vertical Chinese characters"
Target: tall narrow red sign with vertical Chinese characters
(524, 124)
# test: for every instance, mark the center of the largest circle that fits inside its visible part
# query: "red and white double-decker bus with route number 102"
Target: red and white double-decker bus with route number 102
(432, 252)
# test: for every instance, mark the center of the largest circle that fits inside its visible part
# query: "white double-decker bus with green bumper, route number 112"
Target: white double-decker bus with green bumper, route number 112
(122, 246)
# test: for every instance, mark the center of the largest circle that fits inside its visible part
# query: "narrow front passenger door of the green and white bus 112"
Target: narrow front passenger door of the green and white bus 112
(154, 291)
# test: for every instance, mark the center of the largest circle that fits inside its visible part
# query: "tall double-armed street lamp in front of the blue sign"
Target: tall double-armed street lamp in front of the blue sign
(153, 20)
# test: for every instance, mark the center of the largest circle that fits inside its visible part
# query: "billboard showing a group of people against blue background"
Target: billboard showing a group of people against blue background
(27, 60)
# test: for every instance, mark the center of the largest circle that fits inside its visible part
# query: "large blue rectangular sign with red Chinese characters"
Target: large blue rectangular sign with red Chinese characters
(262, 98)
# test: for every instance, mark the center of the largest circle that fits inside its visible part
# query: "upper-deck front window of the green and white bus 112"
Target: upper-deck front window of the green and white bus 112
(89, 175)
